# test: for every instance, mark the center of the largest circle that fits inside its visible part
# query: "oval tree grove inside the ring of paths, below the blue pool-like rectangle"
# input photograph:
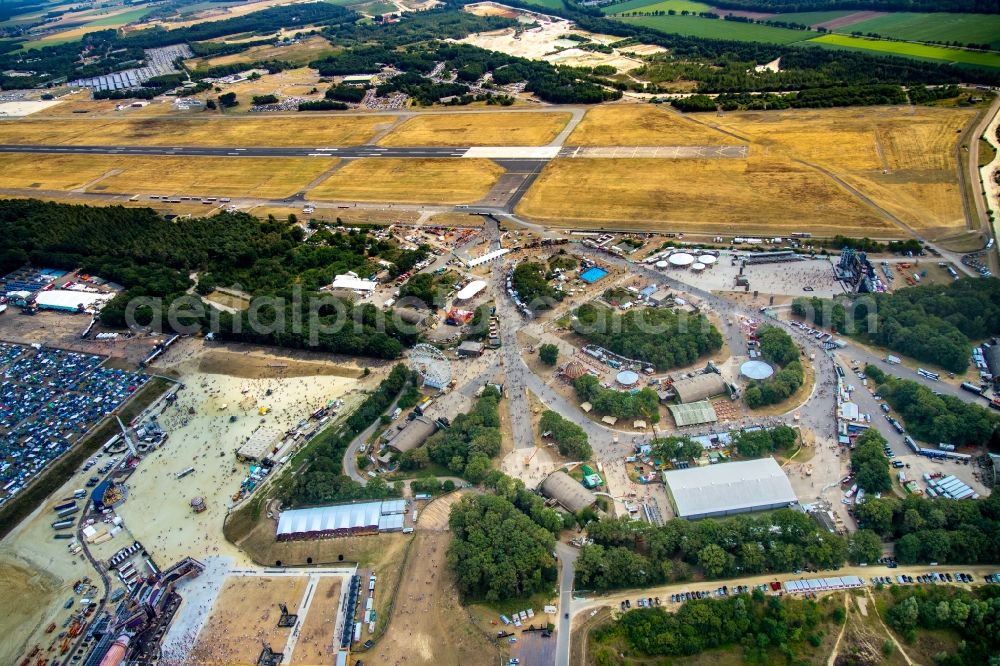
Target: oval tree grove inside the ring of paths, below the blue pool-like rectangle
(660, 337)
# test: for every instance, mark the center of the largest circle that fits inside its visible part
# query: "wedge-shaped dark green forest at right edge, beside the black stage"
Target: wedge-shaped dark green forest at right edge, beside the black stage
(932, 323)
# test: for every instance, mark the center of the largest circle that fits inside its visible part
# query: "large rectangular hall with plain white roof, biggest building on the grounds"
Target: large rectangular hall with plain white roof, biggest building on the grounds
(728, 488)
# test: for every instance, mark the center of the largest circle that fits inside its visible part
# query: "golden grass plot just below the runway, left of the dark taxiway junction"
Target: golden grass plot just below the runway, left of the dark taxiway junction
(404, 180)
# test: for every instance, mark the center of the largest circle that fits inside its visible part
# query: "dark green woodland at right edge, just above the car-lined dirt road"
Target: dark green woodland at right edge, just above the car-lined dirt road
(935, 530)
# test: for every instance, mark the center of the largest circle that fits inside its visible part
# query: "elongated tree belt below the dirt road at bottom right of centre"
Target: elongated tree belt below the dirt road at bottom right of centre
(755, 623)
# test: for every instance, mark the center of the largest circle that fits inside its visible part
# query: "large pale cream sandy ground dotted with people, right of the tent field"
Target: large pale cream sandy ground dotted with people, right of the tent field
(206, 440)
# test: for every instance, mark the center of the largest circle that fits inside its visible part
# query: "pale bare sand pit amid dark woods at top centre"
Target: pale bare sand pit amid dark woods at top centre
(546, 41)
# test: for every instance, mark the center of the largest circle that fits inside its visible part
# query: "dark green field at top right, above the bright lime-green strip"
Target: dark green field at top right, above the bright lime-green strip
(937, 27)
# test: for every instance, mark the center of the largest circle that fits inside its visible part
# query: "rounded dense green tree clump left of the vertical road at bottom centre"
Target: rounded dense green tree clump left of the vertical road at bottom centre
(498, 551)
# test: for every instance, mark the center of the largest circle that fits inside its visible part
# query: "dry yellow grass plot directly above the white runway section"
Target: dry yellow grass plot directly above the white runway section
(478, 129)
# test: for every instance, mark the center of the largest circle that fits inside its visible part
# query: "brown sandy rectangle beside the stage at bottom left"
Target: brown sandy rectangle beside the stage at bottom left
(244, 614)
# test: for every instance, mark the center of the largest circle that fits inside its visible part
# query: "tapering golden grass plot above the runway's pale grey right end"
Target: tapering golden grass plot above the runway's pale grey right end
(643, 125)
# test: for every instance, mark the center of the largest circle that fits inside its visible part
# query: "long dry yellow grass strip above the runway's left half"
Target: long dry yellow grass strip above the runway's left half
(206, 131)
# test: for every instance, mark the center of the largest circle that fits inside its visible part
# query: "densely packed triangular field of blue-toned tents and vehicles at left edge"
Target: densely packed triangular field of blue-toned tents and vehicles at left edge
(49, 399)
